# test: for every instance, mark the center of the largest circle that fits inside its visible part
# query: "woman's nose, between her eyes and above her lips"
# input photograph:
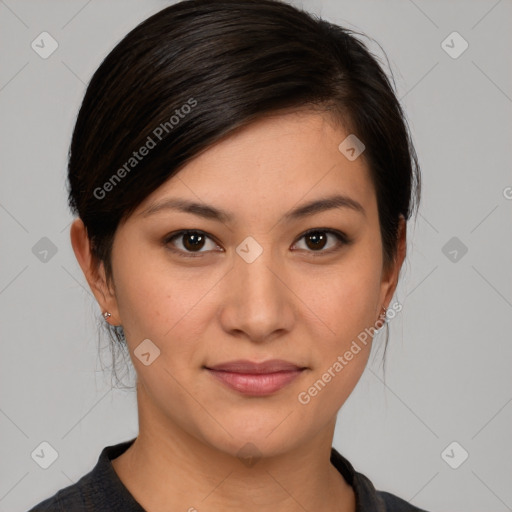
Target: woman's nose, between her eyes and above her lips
(259, 303)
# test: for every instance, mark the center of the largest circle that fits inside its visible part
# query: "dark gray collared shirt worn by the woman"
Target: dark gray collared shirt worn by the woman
(101, 490)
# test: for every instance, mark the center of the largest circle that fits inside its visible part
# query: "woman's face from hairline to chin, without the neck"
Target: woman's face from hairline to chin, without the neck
(253, 285)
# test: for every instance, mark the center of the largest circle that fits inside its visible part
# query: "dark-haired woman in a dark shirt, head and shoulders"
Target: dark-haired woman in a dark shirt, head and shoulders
(242, 173)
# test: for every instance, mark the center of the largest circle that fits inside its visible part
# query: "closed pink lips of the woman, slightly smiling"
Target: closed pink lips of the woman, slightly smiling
(256, 379)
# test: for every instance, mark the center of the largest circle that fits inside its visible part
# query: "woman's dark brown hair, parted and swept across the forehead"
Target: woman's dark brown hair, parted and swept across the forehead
(199, 69)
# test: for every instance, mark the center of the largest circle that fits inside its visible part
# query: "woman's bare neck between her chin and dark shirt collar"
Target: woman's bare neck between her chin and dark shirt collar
(167, 468)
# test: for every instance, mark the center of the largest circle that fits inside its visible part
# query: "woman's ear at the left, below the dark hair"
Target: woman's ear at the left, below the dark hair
(94, 271)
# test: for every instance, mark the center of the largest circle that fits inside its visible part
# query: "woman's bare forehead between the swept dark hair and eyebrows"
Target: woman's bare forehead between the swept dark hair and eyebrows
(272, 165)
